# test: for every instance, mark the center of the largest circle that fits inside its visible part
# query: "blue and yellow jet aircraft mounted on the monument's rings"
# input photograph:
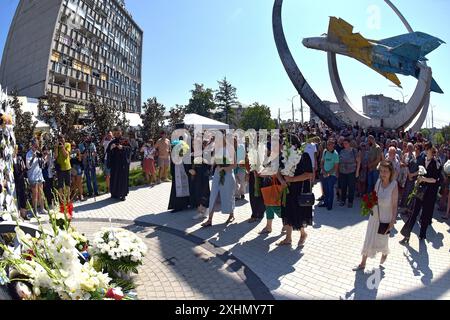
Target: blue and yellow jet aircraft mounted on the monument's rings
(401, 54)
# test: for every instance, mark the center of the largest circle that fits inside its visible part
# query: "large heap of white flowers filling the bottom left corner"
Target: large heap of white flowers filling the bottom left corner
(50, 267)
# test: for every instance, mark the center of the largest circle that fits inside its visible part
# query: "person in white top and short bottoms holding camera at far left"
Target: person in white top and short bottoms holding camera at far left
(35, 163)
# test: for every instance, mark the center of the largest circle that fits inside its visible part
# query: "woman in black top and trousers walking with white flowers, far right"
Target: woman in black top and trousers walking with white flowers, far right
(431, 180)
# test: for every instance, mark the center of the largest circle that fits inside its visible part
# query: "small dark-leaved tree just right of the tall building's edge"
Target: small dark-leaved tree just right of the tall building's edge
(152, 118)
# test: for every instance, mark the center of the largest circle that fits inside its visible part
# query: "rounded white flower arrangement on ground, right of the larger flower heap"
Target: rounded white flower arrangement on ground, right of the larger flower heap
(117, 250)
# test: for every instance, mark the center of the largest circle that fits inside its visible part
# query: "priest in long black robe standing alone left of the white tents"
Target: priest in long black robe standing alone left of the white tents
(119, 158)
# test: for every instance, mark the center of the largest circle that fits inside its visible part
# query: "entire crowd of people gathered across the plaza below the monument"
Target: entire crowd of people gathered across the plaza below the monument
(348, 164)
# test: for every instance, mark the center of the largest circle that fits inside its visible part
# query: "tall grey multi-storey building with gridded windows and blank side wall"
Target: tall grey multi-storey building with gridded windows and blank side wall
(75, 48)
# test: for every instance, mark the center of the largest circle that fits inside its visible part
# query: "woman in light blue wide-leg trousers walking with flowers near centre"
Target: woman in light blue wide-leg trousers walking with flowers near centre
(223, 184)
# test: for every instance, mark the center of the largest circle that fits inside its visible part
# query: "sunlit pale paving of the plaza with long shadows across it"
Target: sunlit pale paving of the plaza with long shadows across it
(324, 264)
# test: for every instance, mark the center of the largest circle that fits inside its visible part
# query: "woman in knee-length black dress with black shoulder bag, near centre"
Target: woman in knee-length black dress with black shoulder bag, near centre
(295, 217)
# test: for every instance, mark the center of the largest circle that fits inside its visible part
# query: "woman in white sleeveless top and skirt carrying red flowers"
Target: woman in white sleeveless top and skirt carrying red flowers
(377, 237)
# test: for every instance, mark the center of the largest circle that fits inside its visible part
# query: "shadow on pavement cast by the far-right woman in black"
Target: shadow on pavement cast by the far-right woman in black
(419, 262)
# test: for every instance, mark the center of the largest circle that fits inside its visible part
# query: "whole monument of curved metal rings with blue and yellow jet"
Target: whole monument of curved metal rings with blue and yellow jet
(404, 54)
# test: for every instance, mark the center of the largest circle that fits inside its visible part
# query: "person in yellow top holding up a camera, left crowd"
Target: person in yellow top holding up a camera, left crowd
(63, 166)
